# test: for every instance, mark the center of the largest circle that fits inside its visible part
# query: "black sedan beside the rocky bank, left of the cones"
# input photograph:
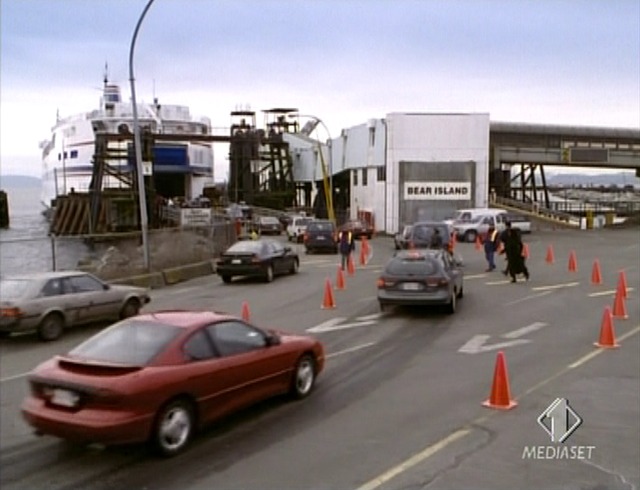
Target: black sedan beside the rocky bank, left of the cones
(264, 258)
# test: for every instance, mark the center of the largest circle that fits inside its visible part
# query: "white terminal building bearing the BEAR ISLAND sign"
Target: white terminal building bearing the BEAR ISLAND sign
(404, 168)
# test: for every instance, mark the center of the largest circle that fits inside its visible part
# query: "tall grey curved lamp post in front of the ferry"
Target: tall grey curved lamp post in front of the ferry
(142, 199)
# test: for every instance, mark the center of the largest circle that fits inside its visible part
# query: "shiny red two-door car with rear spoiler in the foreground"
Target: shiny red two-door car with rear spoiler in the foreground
(160, 376)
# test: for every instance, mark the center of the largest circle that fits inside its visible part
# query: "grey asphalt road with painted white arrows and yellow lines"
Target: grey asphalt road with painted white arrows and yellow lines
(399, 405)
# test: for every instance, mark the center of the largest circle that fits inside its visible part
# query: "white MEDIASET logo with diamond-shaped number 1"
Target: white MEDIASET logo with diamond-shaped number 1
(559, 420)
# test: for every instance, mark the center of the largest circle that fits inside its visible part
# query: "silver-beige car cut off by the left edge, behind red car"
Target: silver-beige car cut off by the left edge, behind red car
(49, 302)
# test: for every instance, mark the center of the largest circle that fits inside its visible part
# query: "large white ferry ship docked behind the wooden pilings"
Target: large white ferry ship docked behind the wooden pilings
(180, 169)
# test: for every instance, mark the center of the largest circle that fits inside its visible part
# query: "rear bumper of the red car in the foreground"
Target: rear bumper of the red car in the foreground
(109, 426)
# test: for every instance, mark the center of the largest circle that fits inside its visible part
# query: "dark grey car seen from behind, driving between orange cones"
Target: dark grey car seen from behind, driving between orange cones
(421, 277)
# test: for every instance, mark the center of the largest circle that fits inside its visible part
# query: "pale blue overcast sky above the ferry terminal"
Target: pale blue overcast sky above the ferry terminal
(571, 62)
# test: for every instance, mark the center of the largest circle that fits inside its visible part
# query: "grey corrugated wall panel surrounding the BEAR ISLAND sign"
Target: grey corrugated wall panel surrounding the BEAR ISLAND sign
(435, 207)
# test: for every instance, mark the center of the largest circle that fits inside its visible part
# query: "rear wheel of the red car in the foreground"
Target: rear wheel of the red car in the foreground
(174, 427)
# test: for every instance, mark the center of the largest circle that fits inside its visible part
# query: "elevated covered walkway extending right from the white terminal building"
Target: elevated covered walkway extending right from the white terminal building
(531, 148)
